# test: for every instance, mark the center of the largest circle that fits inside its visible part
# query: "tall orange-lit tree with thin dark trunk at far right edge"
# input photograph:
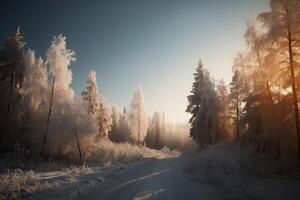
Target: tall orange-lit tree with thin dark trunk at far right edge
(282, 32)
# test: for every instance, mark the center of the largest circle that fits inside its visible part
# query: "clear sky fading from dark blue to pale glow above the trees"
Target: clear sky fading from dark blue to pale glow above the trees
(154, 43)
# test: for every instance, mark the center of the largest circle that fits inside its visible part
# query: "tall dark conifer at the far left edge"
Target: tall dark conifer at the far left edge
(11, 82)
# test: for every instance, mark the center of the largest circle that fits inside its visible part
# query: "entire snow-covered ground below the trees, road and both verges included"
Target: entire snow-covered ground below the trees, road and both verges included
(160, 175)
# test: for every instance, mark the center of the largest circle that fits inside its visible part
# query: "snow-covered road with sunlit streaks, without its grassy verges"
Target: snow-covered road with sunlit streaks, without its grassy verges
(151, 179)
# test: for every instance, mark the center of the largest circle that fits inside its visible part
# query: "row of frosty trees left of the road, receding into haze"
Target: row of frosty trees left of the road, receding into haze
(41, 116)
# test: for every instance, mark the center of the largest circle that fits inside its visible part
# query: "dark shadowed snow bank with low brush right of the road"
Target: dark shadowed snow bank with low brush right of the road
(242, 174)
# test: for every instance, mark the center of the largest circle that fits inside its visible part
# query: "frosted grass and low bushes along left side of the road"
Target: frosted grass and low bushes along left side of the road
(103, 155)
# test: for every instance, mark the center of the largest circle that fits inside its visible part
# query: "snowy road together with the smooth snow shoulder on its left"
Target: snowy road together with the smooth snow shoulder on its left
(148, 179)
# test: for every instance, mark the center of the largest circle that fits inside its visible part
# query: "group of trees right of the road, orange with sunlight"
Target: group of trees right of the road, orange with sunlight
(260, 107)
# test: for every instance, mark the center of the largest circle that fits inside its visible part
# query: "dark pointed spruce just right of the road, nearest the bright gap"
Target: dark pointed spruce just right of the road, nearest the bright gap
(203, 105)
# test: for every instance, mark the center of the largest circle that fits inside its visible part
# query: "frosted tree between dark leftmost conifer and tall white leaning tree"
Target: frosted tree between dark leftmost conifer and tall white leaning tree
(35, 100)
